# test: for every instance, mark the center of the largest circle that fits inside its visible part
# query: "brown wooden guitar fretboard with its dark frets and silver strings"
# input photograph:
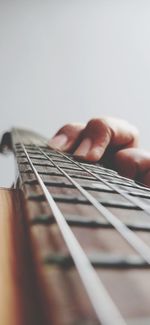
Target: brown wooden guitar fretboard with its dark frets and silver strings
(90, 235)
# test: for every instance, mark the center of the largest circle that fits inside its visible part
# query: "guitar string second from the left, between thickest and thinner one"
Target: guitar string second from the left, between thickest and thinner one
(132, 239)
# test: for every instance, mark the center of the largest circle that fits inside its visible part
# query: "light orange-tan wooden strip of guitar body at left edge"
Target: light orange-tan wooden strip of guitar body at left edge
(9, 297)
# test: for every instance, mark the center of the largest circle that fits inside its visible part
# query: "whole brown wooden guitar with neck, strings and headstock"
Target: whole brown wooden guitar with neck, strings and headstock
(75, 241)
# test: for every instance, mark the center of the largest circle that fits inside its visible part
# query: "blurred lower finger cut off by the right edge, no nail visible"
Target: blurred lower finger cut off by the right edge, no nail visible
(133, 163)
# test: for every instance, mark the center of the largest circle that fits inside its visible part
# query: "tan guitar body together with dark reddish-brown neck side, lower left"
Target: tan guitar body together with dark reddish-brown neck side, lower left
(19, 298)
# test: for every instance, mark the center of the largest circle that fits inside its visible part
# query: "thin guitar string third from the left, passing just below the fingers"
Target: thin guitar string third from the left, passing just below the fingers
(133, 200)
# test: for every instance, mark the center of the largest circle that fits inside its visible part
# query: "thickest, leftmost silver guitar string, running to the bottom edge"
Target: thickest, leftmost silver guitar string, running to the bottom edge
(98, 295)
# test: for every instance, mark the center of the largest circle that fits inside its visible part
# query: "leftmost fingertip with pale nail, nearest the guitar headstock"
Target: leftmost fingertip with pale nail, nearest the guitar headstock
(66, 137)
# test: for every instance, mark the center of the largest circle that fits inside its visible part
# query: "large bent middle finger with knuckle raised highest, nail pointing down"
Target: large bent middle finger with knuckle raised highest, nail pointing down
(99, 134)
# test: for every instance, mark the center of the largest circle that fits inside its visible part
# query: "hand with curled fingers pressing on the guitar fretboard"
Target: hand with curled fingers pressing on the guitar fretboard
(108, 139)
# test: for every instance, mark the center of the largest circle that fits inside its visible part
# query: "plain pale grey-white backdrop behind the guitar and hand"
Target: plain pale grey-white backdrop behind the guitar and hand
(69, 60)
